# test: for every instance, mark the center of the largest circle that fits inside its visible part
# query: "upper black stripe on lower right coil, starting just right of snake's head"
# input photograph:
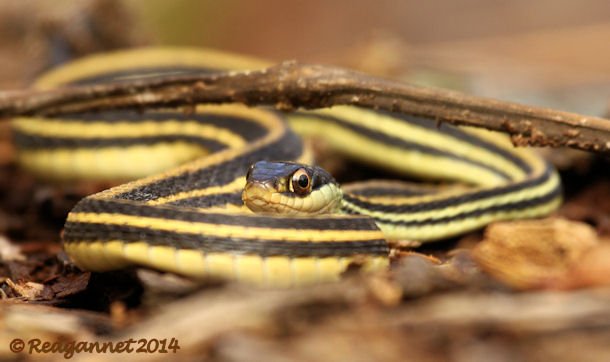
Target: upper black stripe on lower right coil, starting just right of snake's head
(443, 203)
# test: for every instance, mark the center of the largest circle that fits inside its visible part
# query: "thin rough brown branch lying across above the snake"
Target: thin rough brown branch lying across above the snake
(289, 85)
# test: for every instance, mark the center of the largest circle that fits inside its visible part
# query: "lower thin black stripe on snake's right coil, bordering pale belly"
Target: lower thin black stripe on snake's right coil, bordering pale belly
(512, 206)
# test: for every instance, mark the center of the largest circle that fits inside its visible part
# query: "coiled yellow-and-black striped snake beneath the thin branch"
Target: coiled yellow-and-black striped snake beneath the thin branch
(230, 192)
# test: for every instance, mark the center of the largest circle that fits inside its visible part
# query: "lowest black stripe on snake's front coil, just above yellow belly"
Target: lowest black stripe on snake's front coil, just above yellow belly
(101, 232)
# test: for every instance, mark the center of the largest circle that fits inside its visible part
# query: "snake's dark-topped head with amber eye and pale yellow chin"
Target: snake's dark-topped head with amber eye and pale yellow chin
(290, 188)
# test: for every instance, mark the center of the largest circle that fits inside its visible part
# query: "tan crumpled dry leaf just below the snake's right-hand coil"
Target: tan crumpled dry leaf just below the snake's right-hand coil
(529, 254)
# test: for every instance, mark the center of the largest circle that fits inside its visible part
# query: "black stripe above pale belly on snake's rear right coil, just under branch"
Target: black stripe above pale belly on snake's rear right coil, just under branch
(397, 142)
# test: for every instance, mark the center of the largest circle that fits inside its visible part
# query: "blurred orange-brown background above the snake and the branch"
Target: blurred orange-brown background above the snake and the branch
(548, 52)
